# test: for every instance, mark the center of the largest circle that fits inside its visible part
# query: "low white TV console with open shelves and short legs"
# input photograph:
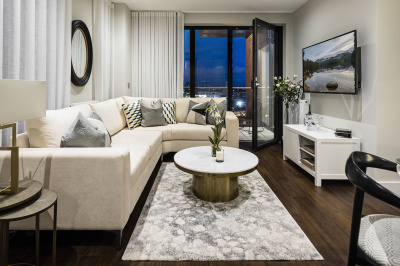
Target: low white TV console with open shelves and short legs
(319, 153)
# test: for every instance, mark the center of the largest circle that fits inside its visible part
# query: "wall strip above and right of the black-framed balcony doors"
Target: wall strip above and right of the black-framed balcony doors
(246, 19)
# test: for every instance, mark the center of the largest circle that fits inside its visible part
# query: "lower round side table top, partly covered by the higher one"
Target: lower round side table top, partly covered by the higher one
(45, 201)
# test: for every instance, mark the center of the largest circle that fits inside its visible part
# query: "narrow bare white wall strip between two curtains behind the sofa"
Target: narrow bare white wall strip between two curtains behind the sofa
(122, 50)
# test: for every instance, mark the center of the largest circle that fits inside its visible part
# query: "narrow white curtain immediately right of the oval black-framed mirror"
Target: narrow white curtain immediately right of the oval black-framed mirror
(103, 50)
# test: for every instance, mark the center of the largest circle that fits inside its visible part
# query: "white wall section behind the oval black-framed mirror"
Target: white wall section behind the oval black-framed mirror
(83, 10)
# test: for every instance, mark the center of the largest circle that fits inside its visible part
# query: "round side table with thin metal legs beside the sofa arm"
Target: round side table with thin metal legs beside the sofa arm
(42, 201)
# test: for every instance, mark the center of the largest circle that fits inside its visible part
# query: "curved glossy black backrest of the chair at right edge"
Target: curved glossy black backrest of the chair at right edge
(356, 168)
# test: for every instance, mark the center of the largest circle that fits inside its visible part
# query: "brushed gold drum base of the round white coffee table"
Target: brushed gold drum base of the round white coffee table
(214, 188)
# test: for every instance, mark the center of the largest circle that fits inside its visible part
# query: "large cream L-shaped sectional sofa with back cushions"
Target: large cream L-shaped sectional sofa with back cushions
(98, 187)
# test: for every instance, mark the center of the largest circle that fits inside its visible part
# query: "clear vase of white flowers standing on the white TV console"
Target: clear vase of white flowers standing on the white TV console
(290, 92)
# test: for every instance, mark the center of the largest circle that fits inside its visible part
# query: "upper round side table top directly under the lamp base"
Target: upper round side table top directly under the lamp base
(28, 189)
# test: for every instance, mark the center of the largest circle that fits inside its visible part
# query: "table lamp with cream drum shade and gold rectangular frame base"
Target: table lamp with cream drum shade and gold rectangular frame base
(19, 100)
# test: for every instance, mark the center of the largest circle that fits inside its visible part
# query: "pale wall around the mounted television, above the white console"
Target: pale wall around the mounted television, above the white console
(319, 20)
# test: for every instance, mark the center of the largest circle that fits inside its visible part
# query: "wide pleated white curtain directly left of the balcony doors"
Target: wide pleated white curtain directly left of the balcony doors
(157, 58)
